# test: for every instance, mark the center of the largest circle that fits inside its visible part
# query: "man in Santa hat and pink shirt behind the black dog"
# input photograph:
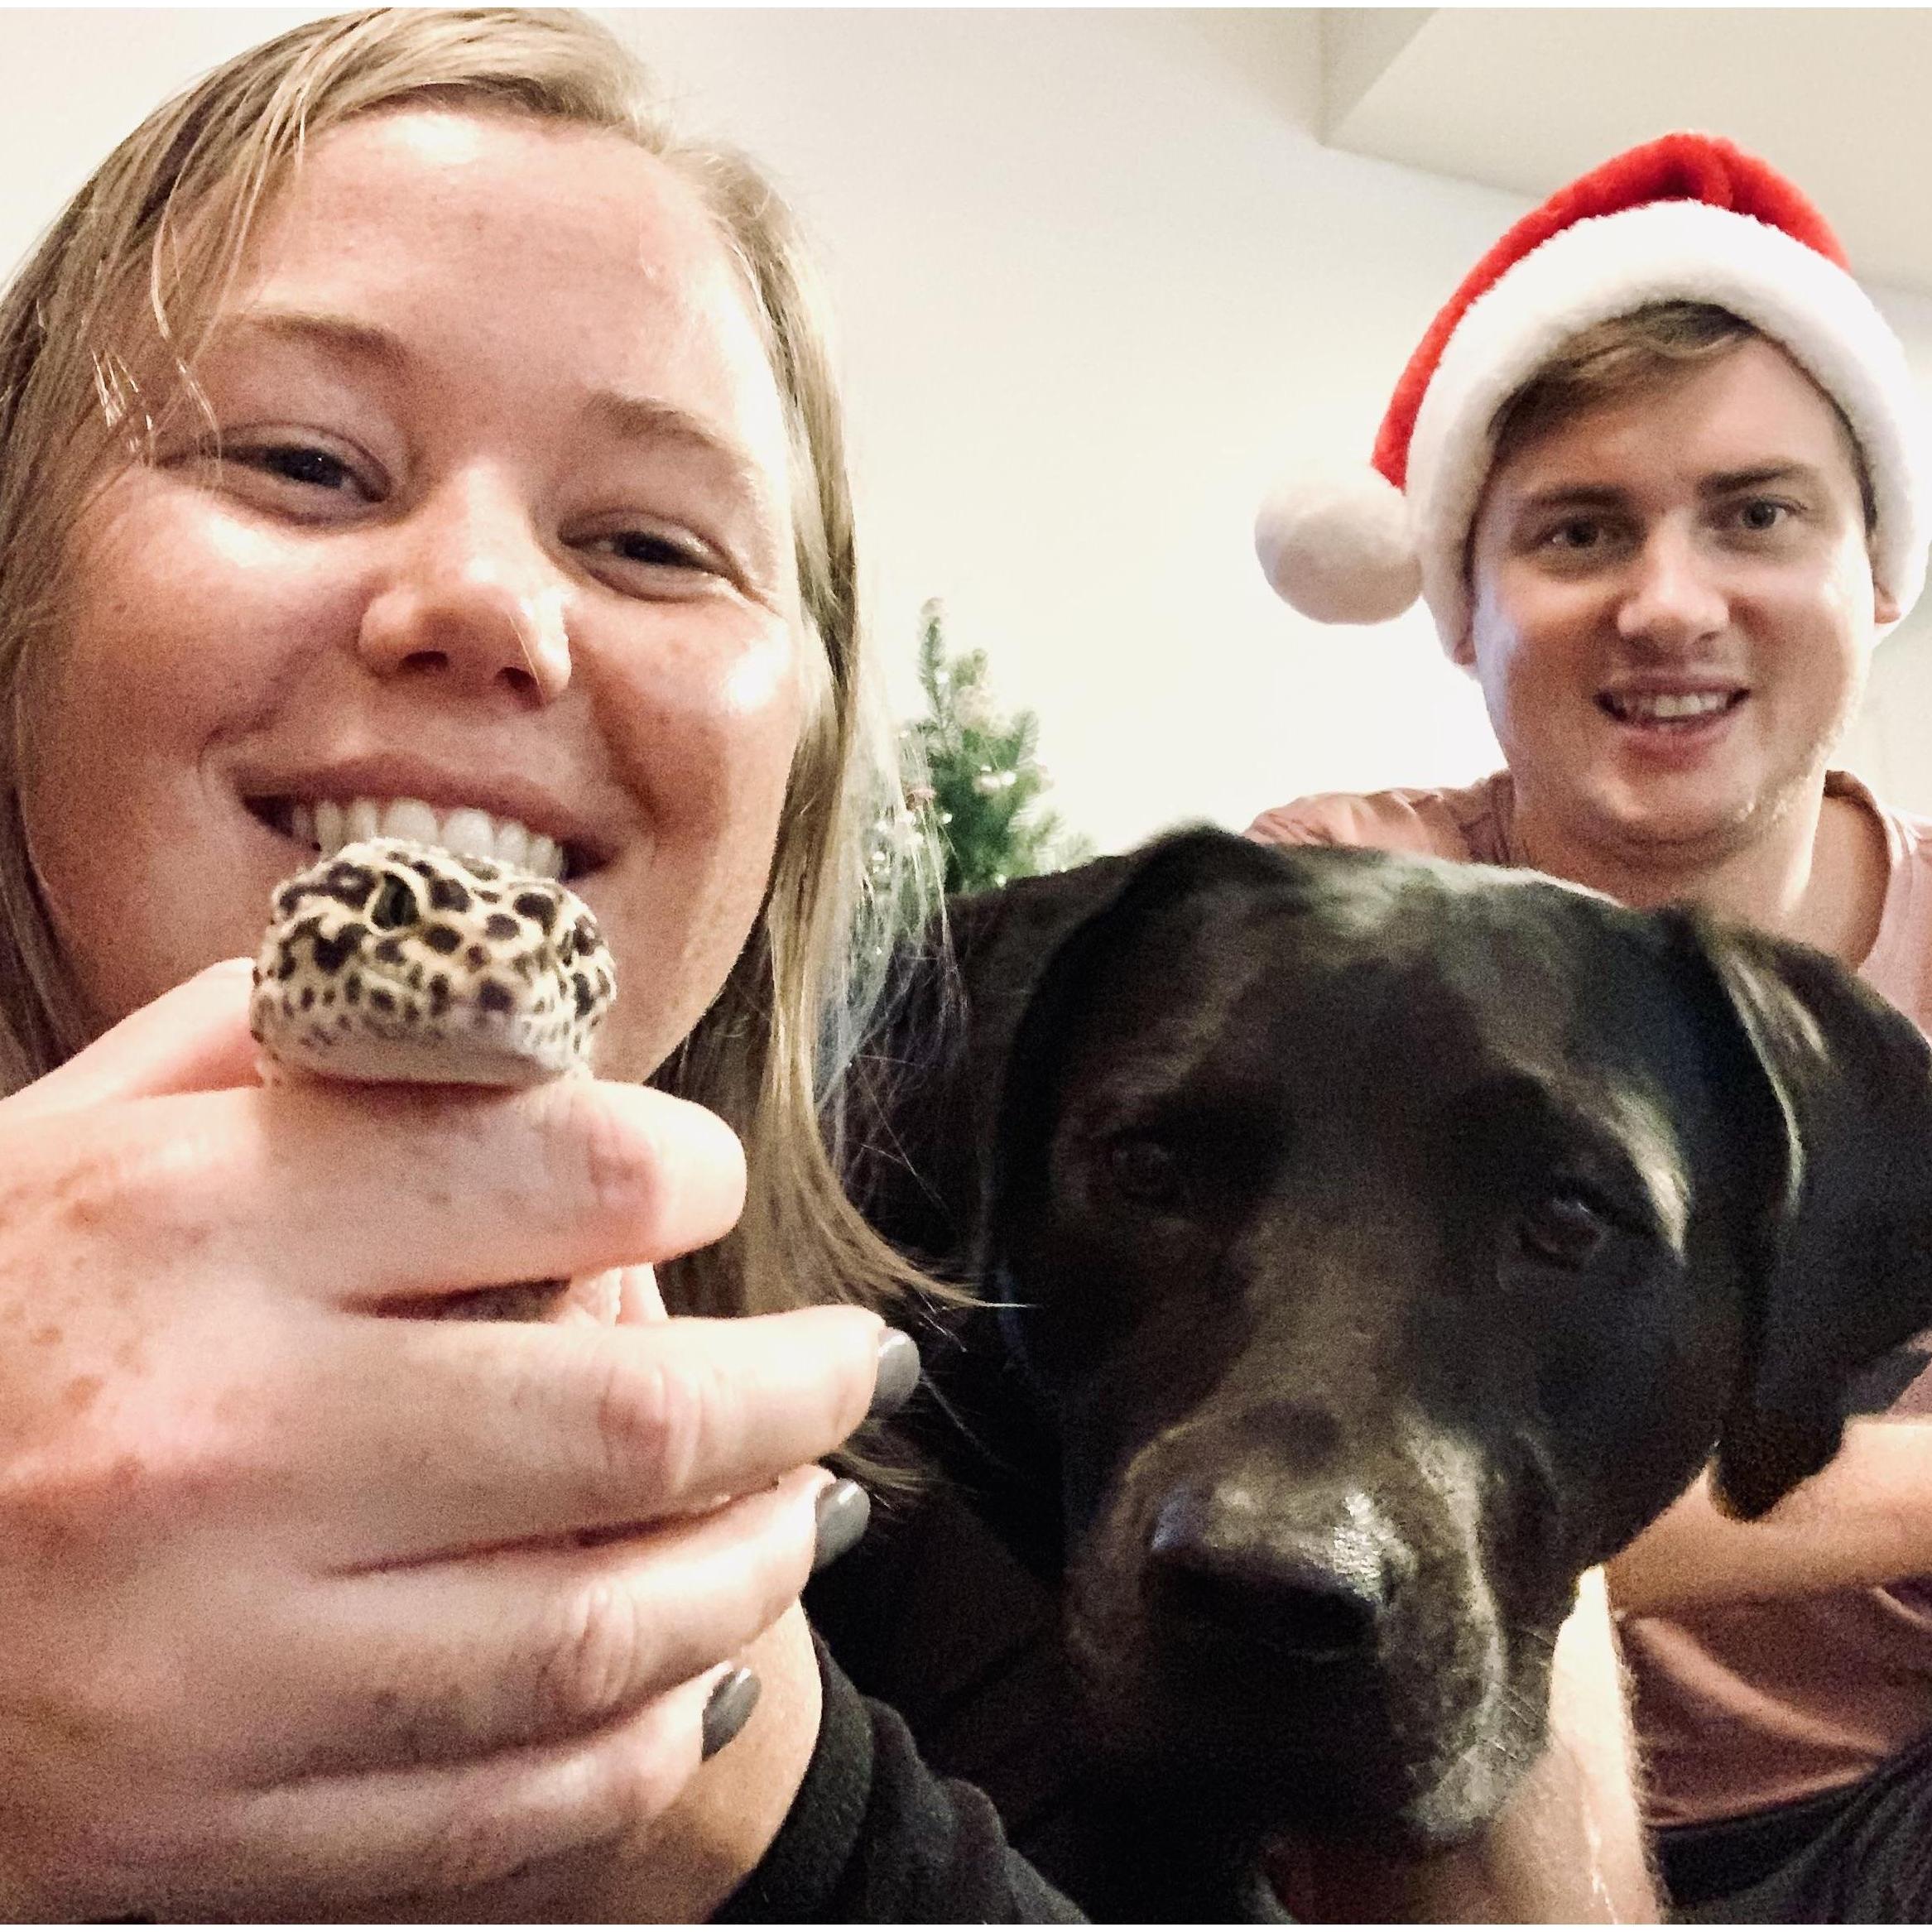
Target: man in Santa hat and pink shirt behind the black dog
(1664, 490)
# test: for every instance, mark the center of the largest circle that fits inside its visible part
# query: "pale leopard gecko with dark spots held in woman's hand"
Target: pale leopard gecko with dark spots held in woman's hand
(403, 963)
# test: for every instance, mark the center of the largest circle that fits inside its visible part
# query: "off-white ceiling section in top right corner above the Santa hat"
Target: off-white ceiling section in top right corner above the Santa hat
(1529, 98)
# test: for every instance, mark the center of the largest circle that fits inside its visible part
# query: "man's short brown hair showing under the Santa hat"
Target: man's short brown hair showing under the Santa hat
(1634, 355)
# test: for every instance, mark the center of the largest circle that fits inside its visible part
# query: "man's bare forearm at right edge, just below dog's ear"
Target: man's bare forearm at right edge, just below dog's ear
(1865, 1520)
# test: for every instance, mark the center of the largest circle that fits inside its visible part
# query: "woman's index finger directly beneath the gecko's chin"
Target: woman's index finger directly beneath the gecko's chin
(376, 1195)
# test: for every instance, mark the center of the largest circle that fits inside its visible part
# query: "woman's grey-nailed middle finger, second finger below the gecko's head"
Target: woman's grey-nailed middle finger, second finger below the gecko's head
(461, 1436)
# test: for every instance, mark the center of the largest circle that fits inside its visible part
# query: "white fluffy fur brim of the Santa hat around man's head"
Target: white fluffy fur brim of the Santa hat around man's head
(1616, 264)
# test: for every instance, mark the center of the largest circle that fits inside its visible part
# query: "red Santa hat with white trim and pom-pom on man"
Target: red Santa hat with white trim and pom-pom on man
(1682, 219)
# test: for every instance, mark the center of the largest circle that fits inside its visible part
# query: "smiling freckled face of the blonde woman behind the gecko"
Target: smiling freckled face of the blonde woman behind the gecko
(503, 526)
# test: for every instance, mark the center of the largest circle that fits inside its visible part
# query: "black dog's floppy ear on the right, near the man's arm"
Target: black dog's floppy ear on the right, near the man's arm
(1844, 1266)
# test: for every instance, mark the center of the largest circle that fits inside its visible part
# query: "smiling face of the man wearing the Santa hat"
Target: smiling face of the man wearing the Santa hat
(1672, 608)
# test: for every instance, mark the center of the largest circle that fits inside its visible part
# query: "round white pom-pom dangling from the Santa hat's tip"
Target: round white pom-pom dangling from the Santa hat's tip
(1338, 548)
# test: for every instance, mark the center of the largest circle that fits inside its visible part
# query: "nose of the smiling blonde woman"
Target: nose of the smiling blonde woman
(472, 596)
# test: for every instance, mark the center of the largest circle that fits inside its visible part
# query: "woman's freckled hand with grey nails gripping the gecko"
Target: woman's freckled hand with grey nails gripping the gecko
(308, 1606)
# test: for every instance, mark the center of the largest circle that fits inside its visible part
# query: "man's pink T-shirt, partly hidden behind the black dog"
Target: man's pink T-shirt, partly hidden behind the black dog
(1751, 1705)
